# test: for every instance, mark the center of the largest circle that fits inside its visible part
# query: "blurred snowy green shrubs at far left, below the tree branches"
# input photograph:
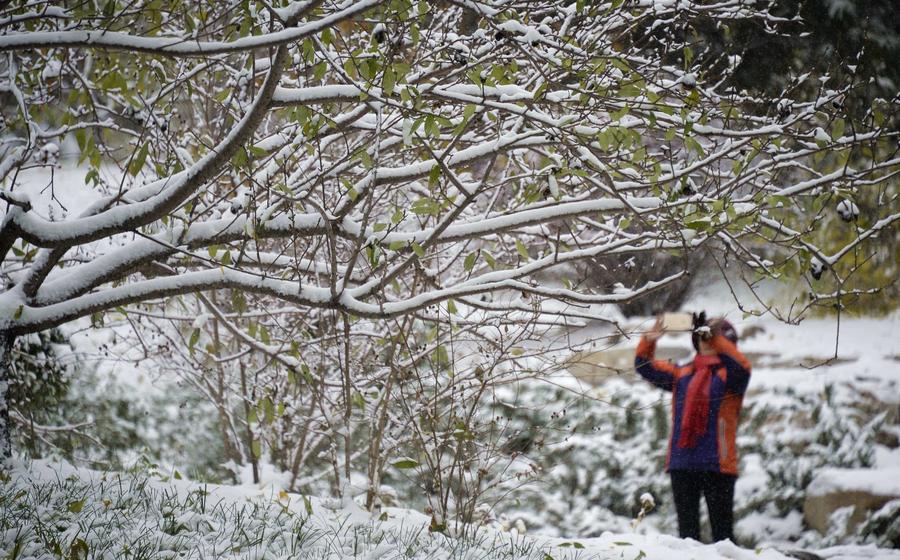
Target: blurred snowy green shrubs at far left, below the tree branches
(115, 420)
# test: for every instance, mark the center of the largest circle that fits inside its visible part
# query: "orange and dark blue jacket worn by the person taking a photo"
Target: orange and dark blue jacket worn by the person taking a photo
(716, 450)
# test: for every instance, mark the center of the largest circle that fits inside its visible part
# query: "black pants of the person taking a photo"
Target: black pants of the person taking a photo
(687, 486)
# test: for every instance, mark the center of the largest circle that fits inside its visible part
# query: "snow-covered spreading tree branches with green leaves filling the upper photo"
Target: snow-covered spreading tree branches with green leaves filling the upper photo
(382, 159)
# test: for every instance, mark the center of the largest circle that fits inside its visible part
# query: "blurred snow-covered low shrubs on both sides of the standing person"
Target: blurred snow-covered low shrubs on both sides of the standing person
(597, 450)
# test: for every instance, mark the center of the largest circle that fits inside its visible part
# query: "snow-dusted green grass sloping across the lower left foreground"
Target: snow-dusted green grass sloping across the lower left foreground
(73, 514)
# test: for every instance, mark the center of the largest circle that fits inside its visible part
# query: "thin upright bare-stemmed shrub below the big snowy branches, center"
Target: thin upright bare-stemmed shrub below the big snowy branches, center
(415, 420)
